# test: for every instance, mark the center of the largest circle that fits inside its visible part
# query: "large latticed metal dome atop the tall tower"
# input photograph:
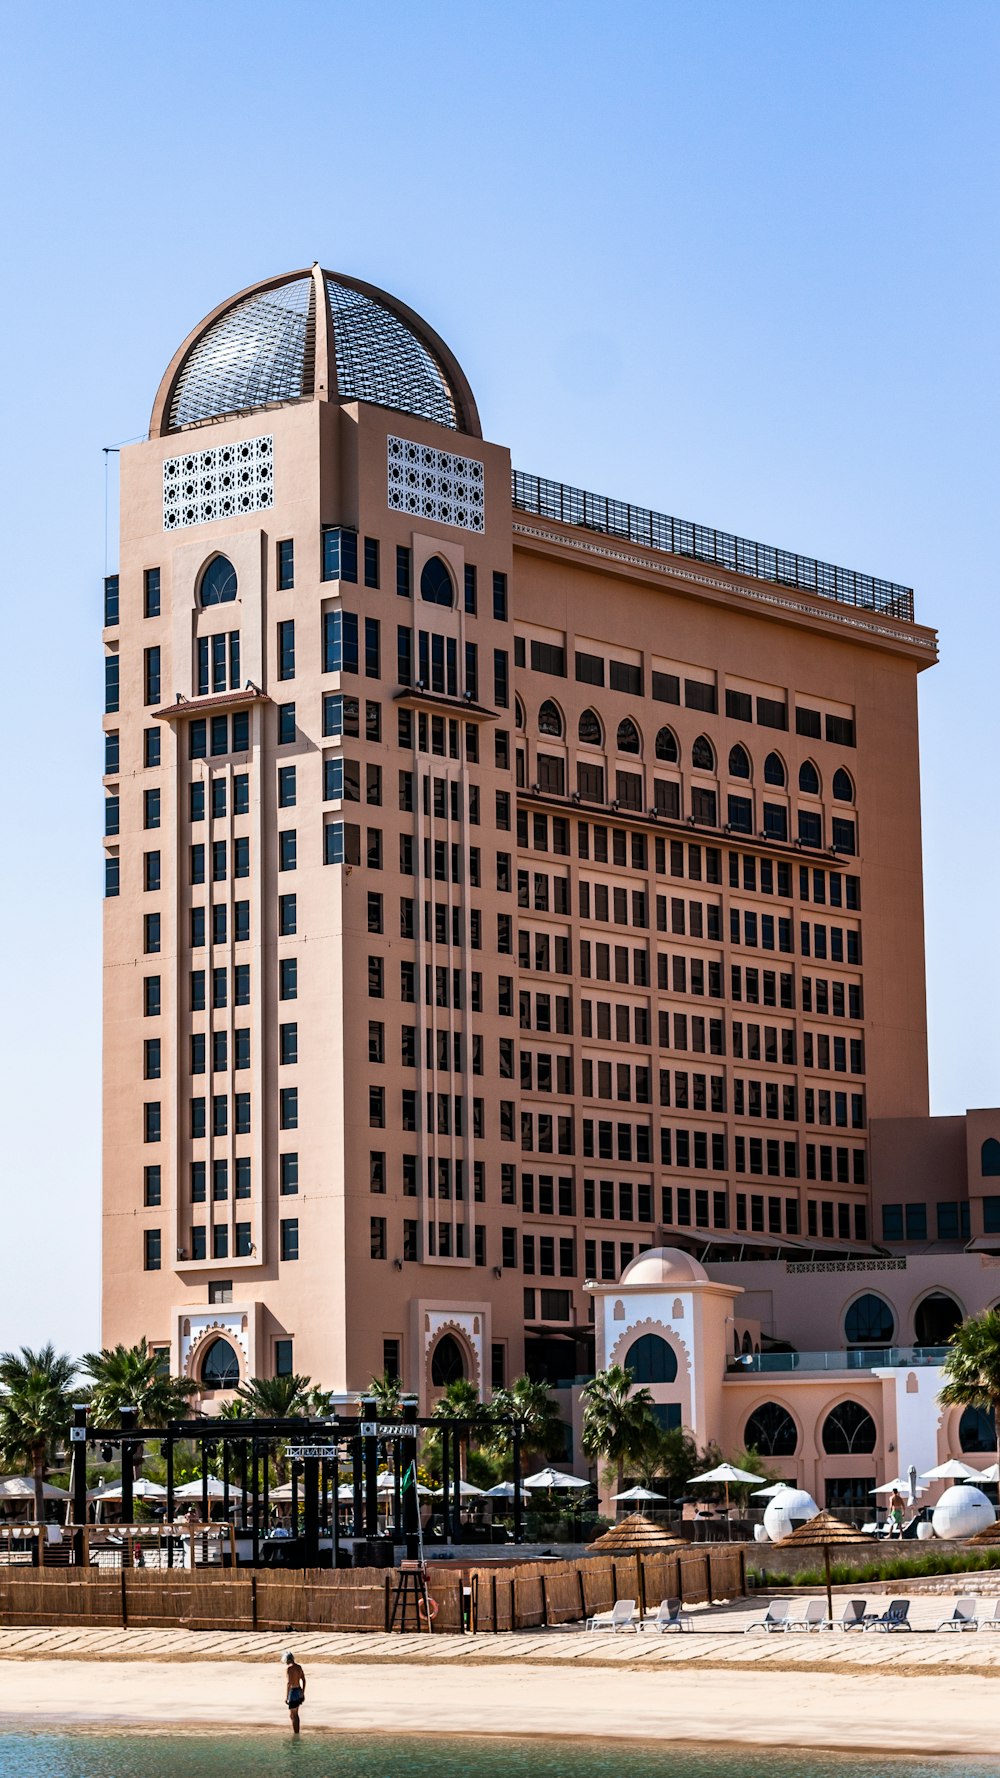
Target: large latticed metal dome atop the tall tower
(314, 335)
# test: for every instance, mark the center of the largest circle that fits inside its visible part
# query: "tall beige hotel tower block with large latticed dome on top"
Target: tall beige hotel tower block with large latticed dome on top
(501, 879)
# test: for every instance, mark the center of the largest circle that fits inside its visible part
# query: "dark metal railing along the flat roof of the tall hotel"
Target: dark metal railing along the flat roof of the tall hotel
(702, 543)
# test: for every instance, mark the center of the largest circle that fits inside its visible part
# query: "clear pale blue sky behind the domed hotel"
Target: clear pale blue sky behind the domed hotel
(732, 260)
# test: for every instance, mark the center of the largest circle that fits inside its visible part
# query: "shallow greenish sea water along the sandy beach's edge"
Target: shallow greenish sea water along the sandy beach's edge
(177, 1756)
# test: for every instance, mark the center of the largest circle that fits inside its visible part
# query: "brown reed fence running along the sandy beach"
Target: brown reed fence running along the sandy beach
(494, 1599)
